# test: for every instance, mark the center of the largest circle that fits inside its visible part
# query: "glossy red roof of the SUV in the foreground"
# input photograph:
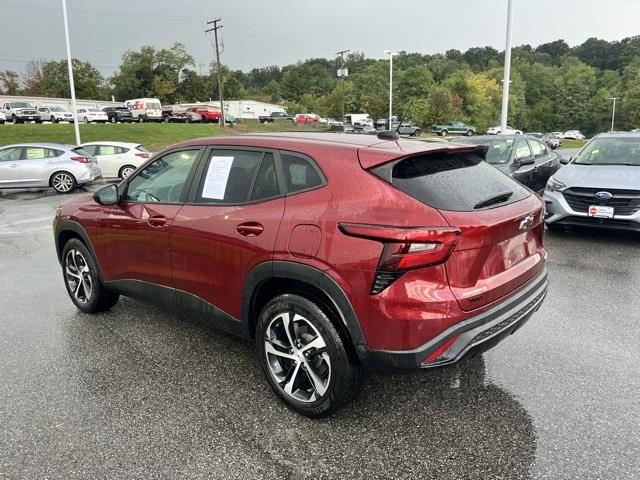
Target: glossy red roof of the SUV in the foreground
(371, 150)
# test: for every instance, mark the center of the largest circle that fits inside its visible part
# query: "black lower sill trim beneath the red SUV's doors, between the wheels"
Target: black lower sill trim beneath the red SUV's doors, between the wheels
(179, 300)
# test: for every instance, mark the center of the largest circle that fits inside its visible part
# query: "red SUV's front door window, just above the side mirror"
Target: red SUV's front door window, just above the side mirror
(163, 180)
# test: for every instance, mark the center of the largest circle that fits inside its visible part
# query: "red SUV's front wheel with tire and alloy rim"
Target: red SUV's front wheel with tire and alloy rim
(82, 280)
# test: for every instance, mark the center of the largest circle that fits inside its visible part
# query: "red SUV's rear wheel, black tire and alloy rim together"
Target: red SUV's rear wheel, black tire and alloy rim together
(305, 359)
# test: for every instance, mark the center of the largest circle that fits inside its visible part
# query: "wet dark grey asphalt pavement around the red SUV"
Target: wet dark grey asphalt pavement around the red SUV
(139, 392)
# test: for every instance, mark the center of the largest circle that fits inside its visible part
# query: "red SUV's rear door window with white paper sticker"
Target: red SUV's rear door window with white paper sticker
(229, 176)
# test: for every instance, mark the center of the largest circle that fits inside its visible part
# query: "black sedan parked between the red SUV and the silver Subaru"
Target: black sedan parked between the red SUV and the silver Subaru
(523, 157)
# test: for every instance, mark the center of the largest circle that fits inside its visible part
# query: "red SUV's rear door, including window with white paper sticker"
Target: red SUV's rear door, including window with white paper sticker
(230, 226)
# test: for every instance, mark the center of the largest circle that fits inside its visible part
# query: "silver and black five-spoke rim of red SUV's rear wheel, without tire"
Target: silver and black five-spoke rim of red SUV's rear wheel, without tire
(297, 357)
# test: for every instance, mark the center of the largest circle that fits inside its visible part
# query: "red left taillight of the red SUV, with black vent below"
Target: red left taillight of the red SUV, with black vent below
(405, 248)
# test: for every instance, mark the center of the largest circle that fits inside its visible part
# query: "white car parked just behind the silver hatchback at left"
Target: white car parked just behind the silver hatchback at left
(117, 159)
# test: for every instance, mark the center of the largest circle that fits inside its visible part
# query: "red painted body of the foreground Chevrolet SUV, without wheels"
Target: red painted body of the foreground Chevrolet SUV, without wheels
(349, 240)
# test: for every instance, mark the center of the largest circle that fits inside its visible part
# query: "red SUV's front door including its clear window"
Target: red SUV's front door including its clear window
(133, 239)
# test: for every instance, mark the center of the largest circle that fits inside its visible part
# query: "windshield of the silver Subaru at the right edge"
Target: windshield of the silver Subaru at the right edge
(610, 151)
